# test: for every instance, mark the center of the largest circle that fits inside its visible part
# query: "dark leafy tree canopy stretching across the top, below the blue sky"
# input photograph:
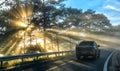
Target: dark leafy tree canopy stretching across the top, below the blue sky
(53, 14)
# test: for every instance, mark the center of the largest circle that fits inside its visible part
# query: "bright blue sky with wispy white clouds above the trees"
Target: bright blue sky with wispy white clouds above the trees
(110, 8)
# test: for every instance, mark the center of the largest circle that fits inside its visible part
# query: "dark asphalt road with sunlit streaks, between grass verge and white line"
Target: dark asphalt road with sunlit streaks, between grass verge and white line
(69, 64)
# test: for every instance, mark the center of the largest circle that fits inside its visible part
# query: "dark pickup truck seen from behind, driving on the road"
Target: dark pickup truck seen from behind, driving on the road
(87, 48)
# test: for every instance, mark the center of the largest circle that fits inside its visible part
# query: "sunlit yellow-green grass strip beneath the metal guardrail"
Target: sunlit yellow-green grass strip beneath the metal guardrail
(27, 61)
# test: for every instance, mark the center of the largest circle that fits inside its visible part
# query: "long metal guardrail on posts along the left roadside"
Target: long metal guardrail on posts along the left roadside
(35, 56)
